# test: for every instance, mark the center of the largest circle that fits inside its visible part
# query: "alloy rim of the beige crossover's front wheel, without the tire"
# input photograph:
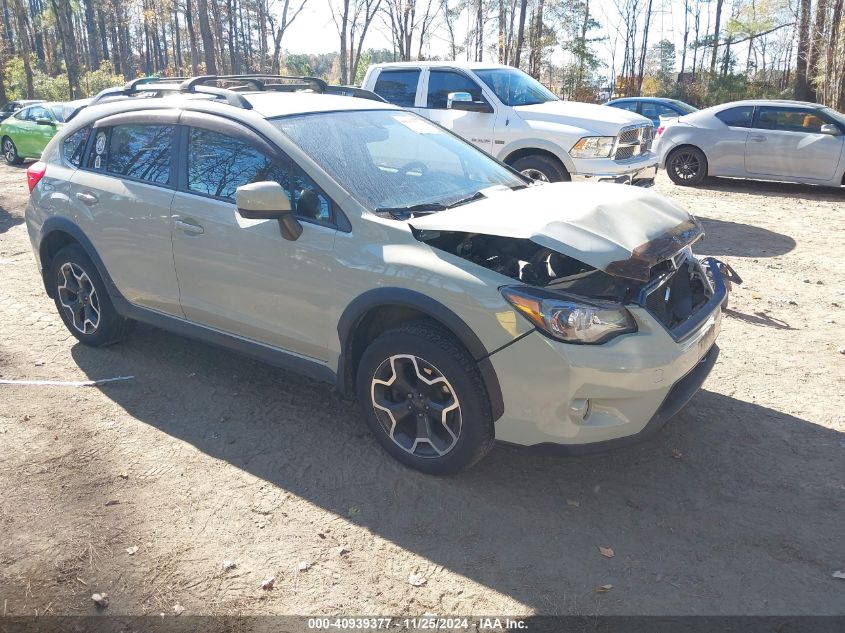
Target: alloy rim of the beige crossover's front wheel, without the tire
(416, 406)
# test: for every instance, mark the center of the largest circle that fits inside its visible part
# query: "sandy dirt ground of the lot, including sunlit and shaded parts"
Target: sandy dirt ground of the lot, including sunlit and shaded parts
(204, 456)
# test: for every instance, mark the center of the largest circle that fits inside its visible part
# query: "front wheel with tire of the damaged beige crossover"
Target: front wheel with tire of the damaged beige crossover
(423, 398)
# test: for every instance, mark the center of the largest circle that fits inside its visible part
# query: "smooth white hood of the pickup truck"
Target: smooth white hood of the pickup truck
(603, 120)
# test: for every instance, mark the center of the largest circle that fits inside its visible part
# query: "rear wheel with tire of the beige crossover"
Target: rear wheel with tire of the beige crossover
(82, 300)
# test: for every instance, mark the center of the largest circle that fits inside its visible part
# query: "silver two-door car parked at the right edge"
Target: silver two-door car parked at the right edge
(790, 141)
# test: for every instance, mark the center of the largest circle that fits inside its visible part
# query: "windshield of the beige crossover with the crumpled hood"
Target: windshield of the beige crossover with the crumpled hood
(393, 159)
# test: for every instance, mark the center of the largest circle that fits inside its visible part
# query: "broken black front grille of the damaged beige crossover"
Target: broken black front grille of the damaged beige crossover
(677, 295)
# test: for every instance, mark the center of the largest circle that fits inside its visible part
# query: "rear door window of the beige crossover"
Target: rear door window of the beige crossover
(138, 151)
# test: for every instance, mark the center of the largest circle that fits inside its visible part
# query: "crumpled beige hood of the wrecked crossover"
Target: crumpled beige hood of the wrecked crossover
(619, 229)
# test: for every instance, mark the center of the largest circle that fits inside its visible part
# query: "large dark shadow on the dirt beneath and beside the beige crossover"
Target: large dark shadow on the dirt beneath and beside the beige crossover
(733, 508)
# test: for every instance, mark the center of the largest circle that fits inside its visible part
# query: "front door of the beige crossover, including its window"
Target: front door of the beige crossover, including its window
(241, 276)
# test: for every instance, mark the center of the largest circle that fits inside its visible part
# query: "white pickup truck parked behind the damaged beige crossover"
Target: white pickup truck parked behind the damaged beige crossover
(516, 119)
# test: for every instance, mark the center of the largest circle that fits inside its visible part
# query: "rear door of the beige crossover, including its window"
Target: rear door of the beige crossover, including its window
(120, 197)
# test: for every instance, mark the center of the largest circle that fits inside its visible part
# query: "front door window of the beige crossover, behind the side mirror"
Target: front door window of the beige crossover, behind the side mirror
(219, 164)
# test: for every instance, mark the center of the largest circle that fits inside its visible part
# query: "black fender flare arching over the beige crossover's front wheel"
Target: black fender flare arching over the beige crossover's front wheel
(403, 297)
